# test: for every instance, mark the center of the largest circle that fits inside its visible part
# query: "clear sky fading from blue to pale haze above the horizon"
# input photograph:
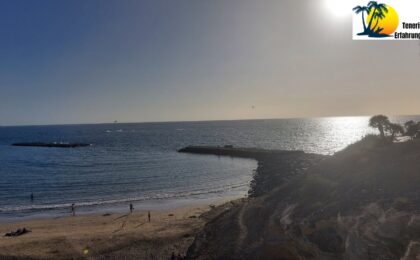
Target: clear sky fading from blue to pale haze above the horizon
(96, 61)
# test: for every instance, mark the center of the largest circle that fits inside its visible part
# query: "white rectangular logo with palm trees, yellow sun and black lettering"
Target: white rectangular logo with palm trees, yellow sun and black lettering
(381, 21)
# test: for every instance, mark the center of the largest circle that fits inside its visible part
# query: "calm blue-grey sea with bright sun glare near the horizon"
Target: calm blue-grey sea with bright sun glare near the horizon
(138, 162)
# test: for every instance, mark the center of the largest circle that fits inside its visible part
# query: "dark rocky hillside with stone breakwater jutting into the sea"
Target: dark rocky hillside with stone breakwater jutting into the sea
(360, 203)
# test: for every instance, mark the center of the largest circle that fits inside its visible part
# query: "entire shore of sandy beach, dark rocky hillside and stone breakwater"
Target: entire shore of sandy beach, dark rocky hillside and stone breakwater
(299, 204)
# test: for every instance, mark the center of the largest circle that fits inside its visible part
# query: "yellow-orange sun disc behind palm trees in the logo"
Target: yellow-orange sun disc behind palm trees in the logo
(389, 22)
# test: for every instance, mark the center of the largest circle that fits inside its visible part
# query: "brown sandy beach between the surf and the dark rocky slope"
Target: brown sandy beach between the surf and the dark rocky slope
(110, 236)
